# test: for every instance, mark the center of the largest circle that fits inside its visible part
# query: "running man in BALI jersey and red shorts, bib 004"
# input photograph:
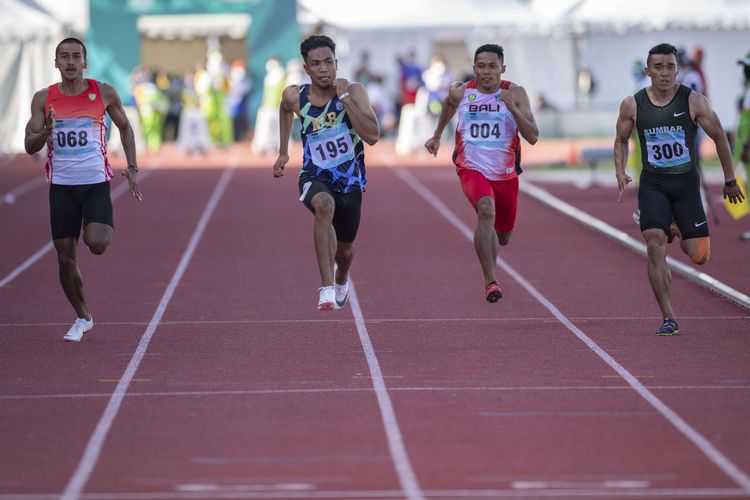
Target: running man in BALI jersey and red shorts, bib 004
(491, 115)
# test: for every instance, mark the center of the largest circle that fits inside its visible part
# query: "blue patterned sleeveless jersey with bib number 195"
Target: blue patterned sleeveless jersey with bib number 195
(333, 151)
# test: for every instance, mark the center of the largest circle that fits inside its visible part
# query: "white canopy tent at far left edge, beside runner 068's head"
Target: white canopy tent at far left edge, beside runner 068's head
(29, 35)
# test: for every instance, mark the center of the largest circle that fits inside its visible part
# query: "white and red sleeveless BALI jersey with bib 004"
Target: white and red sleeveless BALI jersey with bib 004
(487, 134)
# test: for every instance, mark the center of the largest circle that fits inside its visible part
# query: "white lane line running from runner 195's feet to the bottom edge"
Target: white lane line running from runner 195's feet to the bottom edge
(406, 476)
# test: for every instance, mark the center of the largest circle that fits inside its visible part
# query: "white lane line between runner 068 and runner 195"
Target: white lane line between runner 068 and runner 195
(96, 442)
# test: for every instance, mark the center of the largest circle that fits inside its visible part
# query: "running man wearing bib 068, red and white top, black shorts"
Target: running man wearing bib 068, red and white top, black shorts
(68, 117)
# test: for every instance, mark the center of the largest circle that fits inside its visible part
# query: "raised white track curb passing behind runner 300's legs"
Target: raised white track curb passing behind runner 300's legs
(684, 270)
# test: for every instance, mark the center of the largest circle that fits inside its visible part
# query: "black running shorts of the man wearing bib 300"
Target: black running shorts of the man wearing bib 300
(663, 197)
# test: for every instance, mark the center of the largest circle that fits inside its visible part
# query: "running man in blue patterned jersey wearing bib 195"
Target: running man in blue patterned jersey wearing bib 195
(336, 116)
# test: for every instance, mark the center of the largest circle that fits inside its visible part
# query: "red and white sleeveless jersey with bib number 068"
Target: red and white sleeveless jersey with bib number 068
(77, 147)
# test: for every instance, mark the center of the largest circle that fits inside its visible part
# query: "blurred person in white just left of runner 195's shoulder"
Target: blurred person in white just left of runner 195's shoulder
(266, 138)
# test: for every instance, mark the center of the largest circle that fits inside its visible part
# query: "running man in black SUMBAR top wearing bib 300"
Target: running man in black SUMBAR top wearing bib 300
(666, 116)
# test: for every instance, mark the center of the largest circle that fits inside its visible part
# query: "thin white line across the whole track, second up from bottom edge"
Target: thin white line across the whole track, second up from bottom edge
(333, 390)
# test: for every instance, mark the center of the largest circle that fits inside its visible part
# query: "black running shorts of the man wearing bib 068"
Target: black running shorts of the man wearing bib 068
(69, 206)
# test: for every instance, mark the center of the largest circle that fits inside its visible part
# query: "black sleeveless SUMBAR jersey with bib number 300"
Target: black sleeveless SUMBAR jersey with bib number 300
(666, 134)
